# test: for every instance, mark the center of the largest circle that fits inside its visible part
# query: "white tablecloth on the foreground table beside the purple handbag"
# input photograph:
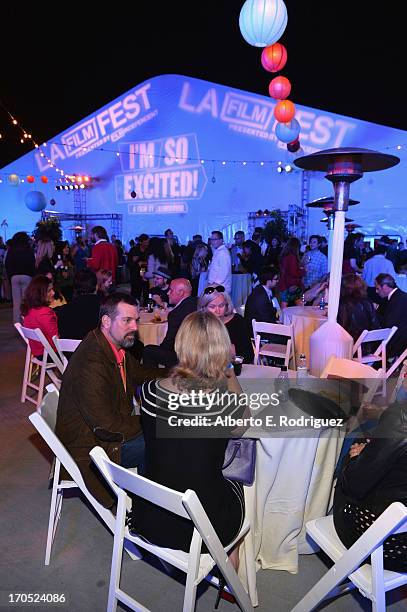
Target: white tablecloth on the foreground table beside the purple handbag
(294, 478)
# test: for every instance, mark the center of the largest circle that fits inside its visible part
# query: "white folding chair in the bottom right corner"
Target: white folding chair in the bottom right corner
(372, 580)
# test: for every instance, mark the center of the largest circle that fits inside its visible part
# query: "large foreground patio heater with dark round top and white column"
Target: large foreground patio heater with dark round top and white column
(343, 166)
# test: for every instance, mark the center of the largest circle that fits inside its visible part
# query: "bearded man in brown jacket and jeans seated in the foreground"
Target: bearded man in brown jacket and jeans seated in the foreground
(96, 398)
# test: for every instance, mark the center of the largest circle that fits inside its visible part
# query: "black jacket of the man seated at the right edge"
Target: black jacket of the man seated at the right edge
(394, 312)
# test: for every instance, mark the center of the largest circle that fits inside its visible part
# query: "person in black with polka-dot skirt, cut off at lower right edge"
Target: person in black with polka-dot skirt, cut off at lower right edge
(373, 477)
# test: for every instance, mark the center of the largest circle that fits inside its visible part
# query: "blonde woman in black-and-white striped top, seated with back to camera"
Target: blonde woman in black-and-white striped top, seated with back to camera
(188, 460)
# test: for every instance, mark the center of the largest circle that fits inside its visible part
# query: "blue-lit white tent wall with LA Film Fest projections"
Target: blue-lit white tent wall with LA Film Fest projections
(200, 156)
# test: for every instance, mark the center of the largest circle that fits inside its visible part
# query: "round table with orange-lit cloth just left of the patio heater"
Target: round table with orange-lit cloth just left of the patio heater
(305, 320)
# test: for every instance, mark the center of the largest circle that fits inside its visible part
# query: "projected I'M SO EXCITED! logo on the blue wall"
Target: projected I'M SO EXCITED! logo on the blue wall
(160, 172)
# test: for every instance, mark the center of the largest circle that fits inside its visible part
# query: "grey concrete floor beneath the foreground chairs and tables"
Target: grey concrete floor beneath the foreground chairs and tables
(80, 561)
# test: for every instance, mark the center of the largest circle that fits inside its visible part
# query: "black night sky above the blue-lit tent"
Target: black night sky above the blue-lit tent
(61, 64)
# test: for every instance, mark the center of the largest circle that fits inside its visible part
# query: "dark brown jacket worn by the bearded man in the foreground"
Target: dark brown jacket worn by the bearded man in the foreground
(94, 409)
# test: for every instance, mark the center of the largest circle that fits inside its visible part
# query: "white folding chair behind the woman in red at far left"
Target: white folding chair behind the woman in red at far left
(46, 366)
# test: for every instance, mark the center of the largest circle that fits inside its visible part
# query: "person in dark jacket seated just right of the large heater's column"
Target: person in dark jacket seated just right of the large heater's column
(356, 312)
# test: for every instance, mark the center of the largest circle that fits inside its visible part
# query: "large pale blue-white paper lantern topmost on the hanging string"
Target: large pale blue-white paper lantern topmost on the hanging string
(262, 22)
